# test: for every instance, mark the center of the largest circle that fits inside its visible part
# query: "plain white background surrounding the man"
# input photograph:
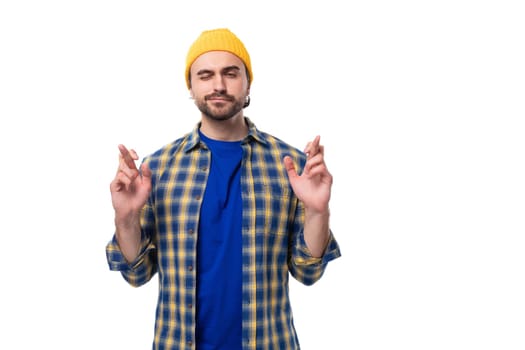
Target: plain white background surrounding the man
(420, 105)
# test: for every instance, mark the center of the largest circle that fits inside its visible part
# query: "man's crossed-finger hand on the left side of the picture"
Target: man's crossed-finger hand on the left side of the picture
(129, 189)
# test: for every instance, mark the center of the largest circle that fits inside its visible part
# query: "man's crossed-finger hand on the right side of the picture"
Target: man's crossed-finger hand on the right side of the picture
(313, 186)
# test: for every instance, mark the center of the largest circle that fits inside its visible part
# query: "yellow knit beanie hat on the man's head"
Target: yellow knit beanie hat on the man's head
(221, 39)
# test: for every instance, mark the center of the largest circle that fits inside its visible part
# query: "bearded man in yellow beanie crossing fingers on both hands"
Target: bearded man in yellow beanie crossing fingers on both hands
(223, 214)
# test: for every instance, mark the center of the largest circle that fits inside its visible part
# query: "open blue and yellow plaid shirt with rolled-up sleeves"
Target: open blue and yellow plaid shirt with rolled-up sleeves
(273, 244)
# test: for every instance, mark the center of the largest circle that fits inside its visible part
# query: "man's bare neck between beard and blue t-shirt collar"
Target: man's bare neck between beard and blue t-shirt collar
(233, 129)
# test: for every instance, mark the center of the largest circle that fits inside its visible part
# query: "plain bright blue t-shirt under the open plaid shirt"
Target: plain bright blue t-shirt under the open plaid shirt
(219, 251)
